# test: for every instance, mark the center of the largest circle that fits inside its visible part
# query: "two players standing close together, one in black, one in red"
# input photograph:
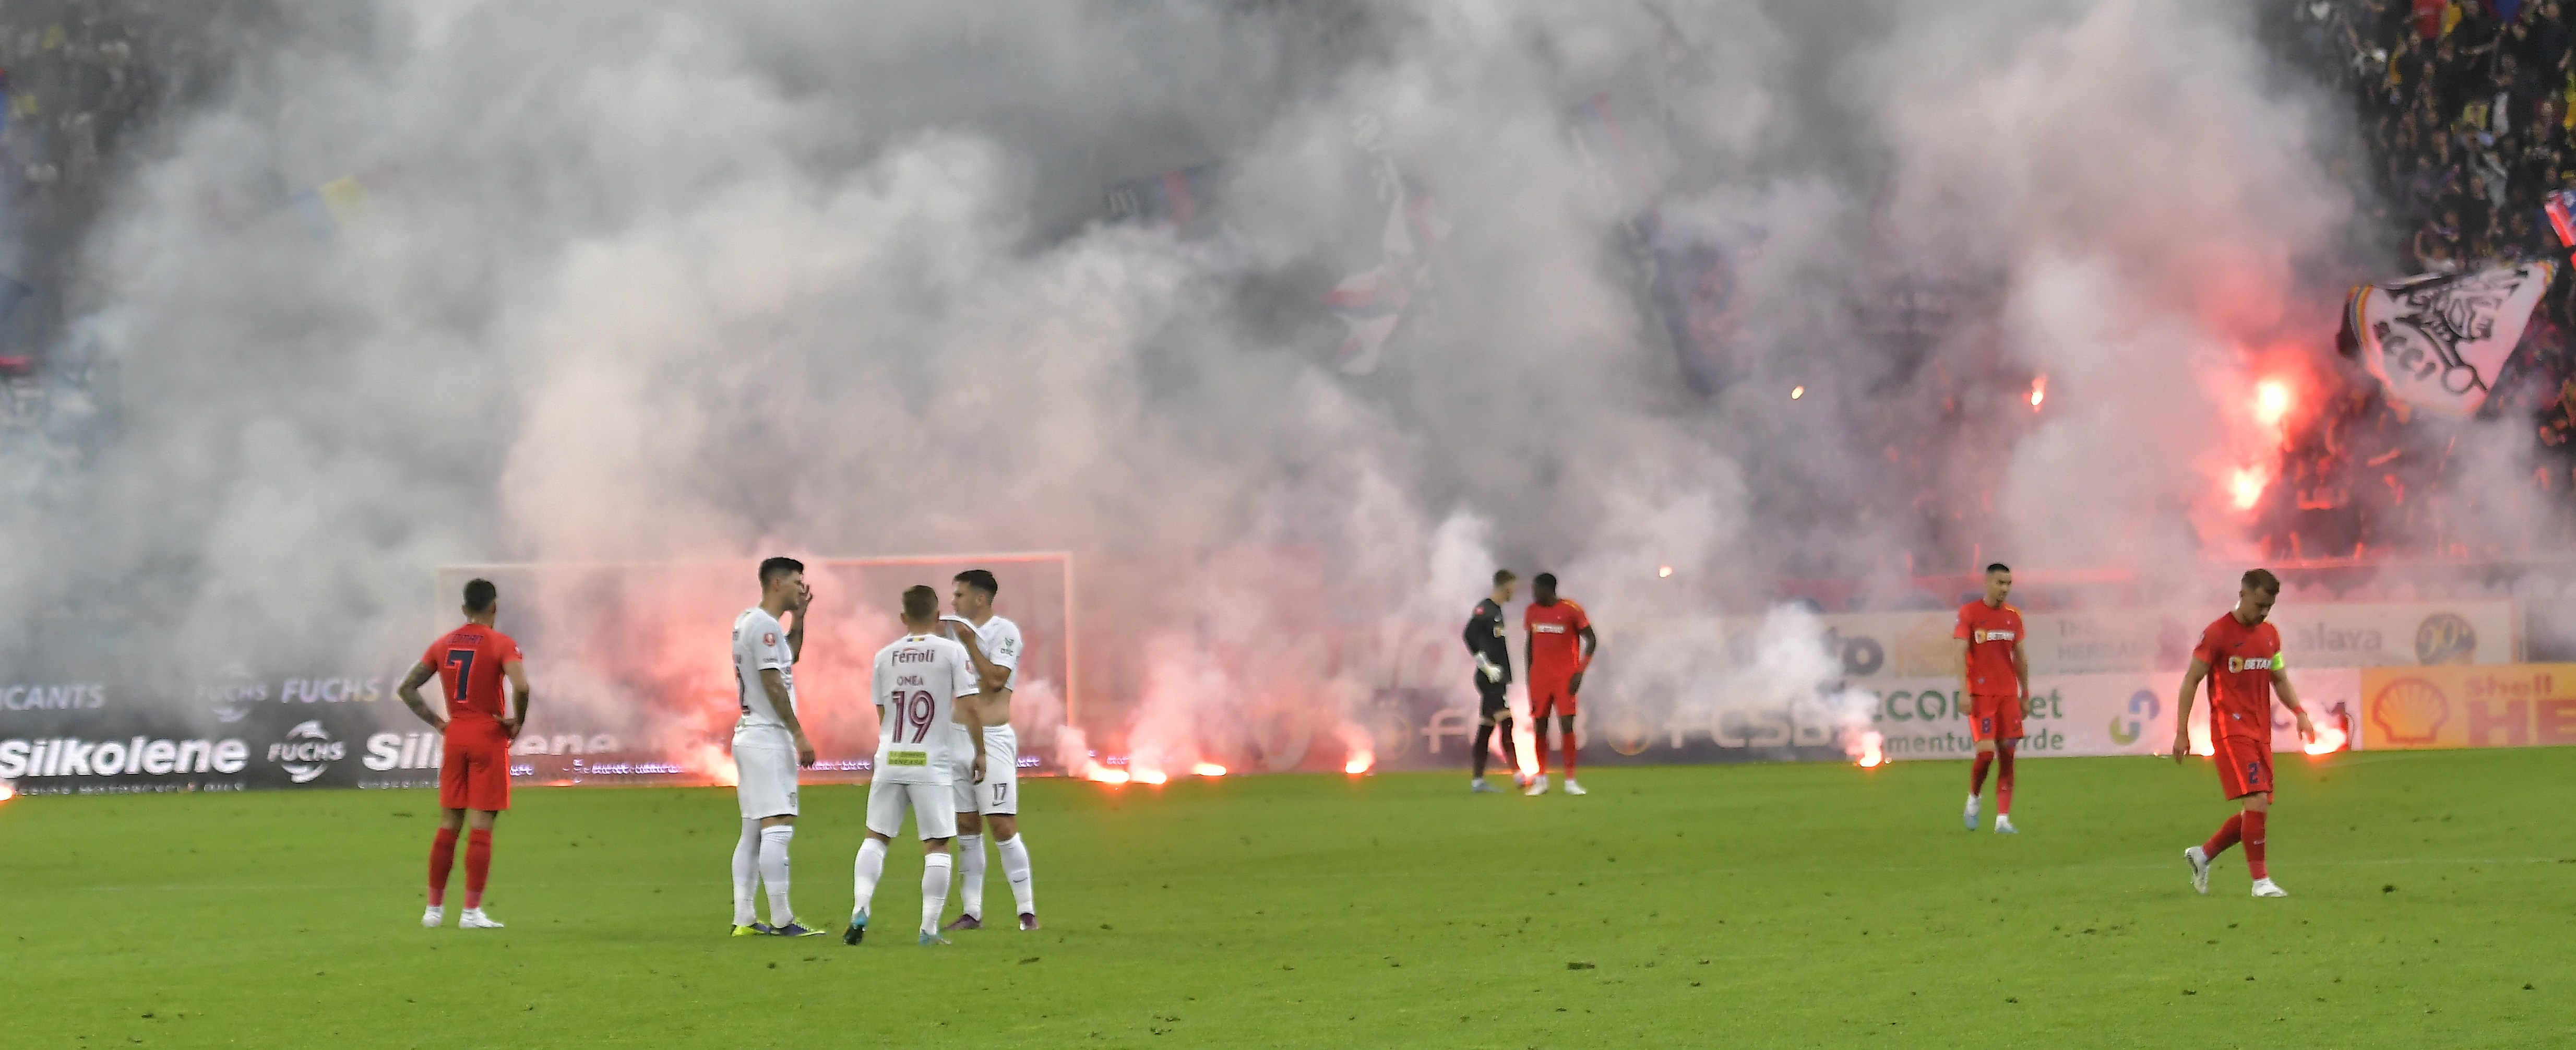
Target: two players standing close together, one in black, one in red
(1560, 647)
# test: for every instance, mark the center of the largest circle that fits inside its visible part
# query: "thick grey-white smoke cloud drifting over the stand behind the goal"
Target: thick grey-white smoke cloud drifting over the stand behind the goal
(699, 282)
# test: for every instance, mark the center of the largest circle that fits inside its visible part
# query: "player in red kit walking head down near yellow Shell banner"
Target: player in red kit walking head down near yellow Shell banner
(2240, 655)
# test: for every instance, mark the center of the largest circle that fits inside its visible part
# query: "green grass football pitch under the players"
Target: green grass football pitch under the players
(1673, 907)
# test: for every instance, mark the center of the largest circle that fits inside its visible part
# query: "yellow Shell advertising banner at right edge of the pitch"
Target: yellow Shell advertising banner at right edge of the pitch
(2469, 706)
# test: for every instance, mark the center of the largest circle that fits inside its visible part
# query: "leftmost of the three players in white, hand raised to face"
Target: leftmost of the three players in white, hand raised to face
(769, 745)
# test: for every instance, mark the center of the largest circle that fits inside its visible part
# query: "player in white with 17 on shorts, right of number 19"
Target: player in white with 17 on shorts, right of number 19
(998, 799)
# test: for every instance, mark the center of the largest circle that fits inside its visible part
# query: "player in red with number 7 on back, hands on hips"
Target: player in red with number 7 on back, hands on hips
(478, 727)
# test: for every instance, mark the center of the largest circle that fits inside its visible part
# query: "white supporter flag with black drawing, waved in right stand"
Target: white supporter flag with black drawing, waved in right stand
(2441, 341)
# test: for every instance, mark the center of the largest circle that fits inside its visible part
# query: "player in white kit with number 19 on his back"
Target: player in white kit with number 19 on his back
(916, 686)
